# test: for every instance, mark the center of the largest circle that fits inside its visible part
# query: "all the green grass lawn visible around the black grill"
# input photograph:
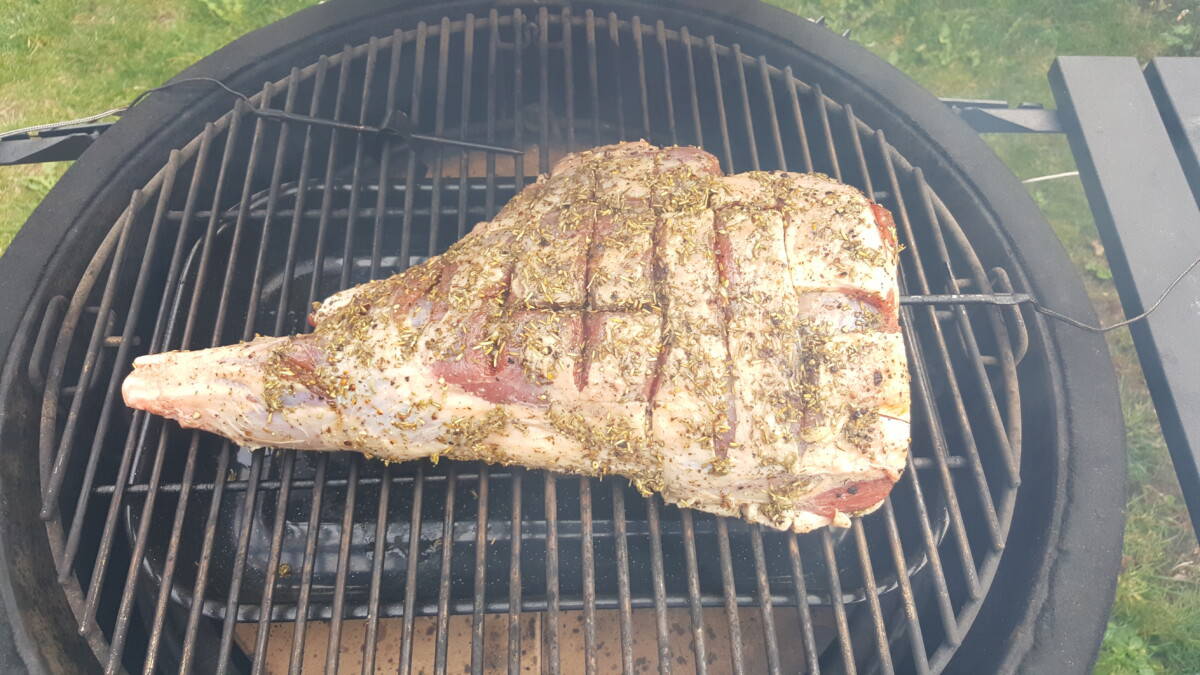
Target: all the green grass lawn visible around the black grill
(64, 58)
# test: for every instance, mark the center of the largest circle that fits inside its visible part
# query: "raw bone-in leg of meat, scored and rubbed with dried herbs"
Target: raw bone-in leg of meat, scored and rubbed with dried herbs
(731, 343)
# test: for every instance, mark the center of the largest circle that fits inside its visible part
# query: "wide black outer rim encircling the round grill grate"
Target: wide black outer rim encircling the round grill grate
(1083, 360)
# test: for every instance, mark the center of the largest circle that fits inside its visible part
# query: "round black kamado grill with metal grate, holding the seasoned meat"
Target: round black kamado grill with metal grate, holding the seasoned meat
(129, 543)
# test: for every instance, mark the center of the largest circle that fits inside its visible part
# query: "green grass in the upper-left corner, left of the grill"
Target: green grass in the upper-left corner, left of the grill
(63, 59)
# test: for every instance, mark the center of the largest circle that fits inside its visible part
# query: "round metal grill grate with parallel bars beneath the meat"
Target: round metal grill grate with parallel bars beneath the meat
(165, 551)
